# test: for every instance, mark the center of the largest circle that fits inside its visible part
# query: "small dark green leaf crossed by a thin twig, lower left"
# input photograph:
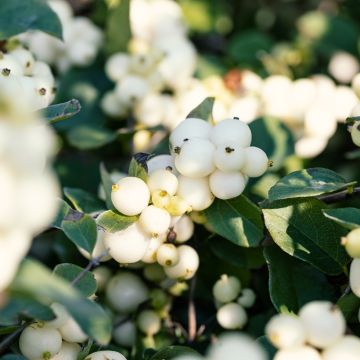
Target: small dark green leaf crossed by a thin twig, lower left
(86, 285)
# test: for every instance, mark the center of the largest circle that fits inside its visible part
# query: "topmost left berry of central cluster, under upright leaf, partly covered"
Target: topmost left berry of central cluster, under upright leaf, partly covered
(188, 129)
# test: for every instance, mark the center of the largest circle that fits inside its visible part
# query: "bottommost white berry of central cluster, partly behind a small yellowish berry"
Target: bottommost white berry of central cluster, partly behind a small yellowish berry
(187, 265)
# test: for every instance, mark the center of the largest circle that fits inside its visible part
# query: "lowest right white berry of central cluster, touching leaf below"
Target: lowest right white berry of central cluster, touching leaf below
(226, 185)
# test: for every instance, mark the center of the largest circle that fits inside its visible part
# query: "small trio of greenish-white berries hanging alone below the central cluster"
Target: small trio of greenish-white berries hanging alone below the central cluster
(231, 302)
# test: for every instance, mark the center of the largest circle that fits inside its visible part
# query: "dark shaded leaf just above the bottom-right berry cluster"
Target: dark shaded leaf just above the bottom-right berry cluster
(293, 283)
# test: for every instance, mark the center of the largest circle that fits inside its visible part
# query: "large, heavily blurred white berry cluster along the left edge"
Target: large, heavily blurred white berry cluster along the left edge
(28, 187)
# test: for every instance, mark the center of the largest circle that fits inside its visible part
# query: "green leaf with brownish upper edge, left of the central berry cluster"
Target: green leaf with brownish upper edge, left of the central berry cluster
(80, 229)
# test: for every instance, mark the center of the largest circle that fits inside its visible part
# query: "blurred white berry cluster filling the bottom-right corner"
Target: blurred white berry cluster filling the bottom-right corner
(318, 332)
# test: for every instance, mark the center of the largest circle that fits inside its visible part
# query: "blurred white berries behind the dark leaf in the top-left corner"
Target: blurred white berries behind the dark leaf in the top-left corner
(82, 40)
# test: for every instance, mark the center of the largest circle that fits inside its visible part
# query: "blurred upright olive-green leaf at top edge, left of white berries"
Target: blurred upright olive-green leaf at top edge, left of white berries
(118, 30)
